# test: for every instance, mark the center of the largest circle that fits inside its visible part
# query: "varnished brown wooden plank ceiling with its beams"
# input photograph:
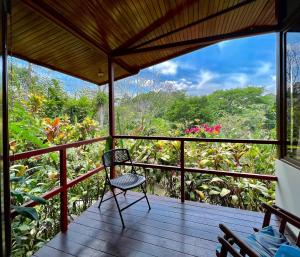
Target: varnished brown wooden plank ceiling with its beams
(77, 37)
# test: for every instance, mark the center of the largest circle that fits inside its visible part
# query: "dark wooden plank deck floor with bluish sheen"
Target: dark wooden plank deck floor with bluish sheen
(169, 229)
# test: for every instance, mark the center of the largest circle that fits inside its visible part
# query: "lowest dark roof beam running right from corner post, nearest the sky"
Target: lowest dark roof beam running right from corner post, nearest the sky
(200, 41)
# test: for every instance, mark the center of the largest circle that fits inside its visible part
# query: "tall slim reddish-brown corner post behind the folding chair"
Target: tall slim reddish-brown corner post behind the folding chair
(111, 108)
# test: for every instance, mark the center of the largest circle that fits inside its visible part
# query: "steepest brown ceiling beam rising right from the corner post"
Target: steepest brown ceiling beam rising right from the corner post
(162, 20)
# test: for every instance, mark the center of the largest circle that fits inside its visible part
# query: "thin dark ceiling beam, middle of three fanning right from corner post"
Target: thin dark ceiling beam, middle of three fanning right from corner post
(234, 7)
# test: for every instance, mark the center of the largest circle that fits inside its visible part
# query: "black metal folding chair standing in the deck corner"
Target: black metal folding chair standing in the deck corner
(124, 182)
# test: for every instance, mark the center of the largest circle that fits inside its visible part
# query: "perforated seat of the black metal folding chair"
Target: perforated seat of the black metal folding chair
(127, 181)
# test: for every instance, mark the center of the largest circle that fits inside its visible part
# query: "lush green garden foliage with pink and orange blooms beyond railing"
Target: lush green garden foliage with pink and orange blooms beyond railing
(42, 114)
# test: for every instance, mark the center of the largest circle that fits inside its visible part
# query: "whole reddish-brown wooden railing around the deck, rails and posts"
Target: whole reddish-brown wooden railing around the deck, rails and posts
(65, 185)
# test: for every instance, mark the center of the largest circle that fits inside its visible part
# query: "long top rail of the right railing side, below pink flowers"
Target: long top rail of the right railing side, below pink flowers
(198, 139)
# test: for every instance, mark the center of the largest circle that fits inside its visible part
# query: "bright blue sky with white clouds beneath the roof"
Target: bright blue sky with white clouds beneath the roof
(229, 64)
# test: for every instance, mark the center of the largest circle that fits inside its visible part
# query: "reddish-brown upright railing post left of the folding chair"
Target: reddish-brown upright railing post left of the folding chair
(64, 193)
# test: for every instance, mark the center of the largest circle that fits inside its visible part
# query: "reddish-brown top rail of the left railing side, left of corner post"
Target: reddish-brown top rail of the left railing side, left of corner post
(28, 154)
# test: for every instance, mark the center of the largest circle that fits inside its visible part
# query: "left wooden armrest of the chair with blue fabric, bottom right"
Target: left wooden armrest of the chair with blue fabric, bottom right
(230, 238)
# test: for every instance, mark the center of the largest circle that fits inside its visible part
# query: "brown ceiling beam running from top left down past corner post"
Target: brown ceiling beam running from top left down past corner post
(47, 12)
